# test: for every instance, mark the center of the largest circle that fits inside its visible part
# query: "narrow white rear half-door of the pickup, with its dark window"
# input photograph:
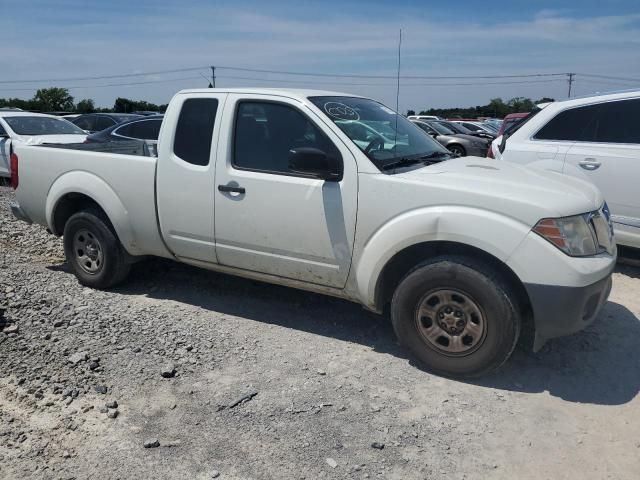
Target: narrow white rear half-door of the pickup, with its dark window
(185, 175)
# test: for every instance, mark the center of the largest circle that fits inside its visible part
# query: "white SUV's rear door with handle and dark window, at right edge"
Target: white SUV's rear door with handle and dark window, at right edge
(608, 154)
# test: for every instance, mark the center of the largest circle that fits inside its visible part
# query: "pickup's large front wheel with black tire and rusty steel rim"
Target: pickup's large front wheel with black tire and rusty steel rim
(481, 288)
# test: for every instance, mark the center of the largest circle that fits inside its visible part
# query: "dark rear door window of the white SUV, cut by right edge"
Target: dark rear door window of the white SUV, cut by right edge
(617, 122)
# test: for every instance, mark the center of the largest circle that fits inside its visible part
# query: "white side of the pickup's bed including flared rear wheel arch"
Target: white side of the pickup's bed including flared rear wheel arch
(123, 184)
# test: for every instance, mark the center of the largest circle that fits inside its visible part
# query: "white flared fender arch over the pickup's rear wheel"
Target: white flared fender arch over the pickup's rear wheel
(98, 190)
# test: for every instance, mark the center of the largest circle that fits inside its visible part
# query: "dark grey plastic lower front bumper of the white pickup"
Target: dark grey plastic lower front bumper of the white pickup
(559, 310)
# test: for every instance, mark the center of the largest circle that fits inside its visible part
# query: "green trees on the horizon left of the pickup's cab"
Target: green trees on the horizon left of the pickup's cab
(58, 99)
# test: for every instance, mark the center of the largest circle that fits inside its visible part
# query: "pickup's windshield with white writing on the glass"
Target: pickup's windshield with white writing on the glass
(383, 135)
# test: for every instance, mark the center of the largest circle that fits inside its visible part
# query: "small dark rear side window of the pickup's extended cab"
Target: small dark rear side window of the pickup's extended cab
(194, 131)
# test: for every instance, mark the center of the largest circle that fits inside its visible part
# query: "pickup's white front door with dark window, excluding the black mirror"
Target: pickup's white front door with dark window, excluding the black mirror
(269, 219)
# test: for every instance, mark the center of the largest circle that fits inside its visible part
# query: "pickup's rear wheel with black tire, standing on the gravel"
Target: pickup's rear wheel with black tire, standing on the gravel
(111, 268)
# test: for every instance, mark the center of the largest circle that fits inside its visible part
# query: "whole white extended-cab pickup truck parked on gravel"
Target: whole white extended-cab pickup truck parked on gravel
(275, 185)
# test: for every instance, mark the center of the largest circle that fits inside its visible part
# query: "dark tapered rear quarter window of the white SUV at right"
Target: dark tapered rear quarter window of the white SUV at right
(575, 124)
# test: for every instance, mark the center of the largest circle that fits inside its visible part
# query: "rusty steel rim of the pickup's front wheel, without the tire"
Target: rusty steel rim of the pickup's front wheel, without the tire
(451, 322)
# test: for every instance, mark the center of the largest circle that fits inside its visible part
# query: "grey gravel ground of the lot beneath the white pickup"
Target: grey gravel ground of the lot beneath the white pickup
(183, 373)
